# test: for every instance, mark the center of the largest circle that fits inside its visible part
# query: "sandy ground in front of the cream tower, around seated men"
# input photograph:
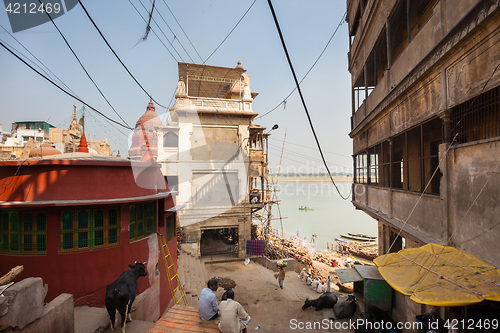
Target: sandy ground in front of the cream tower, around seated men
(275, 310)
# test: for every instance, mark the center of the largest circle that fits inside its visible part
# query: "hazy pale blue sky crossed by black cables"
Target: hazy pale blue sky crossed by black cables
(307, 26)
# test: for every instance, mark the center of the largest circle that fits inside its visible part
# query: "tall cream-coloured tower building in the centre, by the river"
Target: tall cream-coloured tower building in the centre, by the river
(215, 157)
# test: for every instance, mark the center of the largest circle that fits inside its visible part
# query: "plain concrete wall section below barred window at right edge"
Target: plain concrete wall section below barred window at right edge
(475, 197)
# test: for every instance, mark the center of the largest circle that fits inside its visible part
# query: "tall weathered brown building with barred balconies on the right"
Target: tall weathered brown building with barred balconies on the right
(426, 124)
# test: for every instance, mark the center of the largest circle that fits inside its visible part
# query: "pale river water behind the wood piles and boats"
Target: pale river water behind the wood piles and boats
(330, 217)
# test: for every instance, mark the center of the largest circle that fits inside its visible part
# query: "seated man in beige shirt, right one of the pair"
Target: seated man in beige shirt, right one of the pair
(233, 318)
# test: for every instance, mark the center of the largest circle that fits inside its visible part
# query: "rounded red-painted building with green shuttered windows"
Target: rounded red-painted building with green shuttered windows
(77, 220)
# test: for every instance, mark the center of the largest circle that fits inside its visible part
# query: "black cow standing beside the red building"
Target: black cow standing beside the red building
(121, 293)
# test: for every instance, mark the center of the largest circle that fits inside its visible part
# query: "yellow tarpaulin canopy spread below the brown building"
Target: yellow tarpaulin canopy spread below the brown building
(440, 276)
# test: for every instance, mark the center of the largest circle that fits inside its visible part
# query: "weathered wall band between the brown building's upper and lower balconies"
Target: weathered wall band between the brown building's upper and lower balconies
(465, 58)
